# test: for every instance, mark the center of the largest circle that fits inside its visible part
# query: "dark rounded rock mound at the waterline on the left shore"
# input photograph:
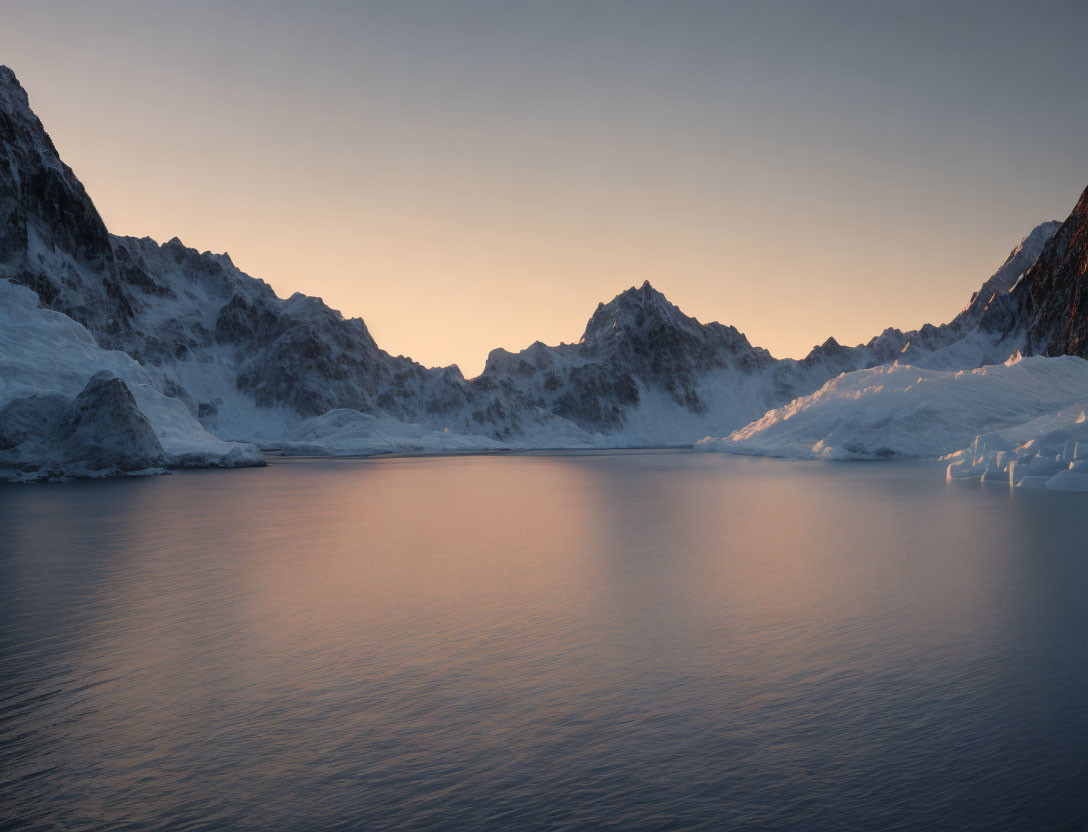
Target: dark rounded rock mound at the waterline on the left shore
(100, 433)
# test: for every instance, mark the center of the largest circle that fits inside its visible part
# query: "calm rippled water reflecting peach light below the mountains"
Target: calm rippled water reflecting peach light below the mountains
(626, 641)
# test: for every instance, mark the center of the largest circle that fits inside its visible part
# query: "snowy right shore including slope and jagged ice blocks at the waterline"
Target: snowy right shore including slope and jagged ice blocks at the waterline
(1022, 423)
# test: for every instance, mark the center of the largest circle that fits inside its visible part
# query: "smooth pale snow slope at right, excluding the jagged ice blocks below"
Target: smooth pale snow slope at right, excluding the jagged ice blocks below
(898, 411)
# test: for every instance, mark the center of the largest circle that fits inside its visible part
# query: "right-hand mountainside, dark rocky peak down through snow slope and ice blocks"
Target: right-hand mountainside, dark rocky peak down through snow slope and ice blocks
(1027, 415)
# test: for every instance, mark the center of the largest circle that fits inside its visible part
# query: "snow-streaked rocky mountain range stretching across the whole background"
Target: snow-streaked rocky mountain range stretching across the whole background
(295, 376)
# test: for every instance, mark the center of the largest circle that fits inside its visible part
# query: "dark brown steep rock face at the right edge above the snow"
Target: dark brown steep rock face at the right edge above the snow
(1054, 295)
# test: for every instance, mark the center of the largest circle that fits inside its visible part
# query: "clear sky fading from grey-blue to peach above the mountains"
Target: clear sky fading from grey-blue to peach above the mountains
(467, 176)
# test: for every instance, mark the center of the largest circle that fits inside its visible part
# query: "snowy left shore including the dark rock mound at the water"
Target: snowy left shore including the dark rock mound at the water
(47, 364)
